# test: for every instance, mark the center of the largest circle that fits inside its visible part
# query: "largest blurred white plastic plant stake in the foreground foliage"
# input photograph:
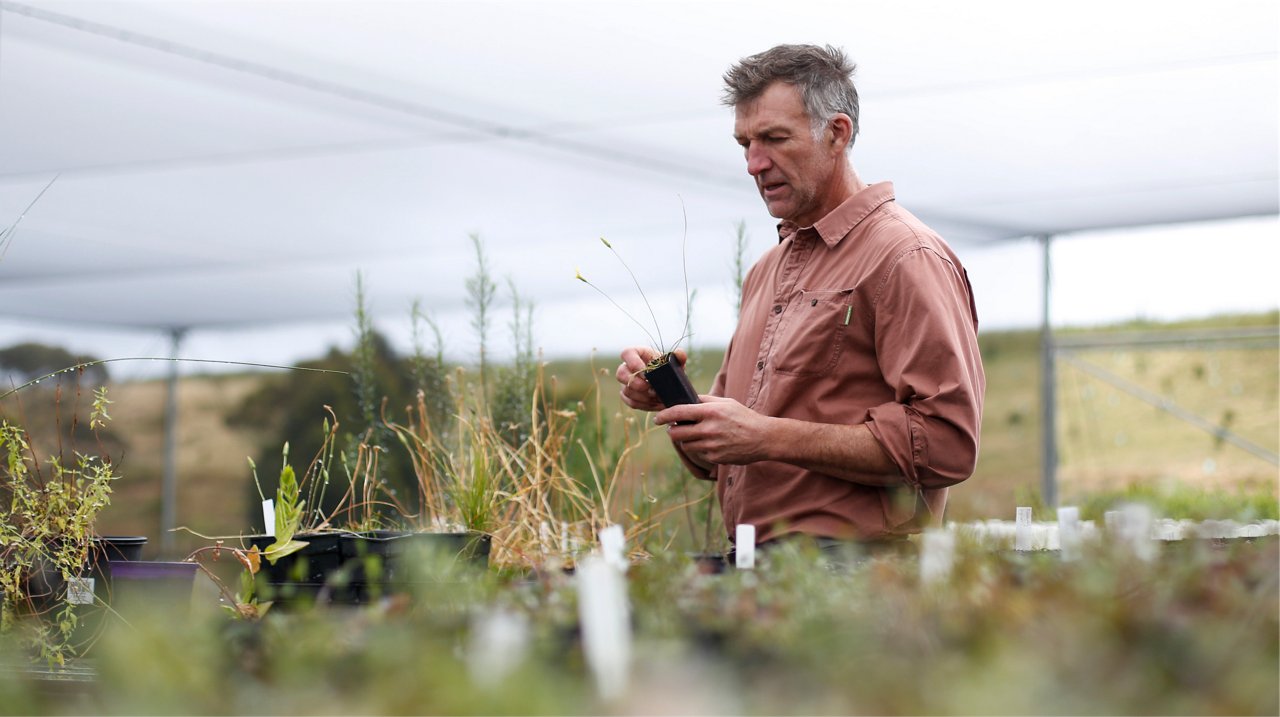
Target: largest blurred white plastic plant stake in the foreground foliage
(604, 614)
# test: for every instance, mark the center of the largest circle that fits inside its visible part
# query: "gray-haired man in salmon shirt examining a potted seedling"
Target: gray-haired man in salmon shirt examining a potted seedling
(852, 392)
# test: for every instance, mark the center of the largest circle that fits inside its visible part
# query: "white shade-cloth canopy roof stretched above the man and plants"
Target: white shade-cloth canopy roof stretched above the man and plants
(234, 163)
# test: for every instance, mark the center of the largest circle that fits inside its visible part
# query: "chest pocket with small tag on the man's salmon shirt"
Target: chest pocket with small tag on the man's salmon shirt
(813, 335)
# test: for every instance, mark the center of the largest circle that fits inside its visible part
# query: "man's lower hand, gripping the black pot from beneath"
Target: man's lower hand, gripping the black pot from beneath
(719, 431)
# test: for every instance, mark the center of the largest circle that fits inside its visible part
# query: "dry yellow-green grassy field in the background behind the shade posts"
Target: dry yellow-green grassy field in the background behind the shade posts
(1112, 444)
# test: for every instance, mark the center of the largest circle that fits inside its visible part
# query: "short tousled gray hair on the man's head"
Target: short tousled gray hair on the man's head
(824, 75)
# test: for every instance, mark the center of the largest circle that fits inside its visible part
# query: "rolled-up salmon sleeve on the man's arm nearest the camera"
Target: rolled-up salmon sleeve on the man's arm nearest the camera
(927, 349)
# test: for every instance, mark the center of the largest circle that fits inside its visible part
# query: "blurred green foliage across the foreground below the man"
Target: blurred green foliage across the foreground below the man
(1191, 633)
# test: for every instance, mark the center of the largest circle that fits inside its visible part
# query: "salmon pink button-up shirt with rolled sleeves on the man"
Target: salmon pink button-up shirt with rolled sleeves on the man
(865, 318)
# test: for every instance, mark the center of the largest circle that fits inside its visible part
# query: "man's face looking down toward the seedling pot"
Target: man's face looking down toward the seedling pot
(793, 171)
